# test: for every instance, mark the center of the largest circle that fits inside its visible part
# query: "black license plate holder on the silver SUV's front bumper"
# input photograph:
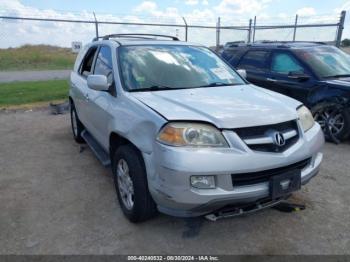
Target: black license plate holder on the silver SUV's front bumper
(284, 184)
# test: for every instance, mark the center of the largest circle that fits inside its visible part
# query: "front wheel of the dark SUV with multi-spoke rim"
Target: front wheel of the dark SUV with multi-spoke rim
(333, 118)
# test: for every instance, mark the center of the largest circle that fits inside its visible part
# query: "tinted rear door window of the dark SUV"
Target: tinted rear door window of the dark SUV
(254, 60)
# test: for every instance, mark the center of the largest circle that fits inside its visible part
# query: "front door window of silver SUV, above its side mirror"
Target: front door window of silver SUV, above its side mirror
(103, 64)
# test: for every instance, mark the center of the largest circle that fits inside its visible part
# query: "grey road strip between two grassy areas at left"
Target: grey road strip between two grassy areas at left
(12, 76)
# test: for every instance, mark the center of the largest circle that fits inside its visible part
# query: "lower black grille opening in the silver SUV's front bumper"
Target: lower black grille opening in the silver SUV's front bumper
(244, 179)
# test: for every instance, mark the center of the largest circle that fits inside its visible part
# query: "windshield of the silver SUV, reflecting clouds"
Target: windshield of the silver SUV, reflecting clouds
(160, 67)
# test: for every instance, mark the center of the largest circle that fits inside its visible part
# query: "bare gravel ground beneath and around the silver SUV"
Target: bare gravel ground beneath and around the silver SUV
(56, 200)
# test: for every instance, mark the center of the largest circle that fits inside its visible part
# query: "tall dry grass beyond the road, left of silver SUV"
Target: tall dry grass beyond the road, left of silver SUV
(36, 57)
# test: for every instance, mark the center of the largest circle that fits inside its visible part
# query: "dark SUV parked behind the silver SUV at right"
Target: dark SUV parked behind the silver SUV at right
(314, 73)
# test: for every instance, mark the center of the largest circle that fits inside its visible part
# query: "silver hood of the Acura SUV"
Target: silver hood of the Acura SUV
(225, 107)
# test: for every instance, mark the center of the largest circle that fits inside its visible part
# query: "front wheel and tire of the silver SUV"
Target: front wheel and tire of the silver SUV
(131, 185)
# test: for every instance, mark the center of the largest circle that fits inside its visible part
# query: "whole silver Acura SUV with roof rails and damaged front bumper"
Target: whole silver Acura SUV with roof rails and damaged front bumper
(184, 133)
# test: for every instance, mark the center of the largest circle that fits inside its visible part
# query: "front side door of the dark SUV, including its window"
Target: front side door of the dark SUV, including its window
(283, 63)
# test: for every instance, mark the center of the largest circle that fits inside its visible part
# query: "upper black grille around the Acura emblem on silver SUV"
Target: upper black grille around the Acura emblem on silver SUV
(263, 131)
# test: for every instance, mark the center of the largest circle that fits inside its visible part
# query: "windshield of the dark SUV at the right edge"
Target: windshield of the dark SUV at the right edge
(326, 61)
